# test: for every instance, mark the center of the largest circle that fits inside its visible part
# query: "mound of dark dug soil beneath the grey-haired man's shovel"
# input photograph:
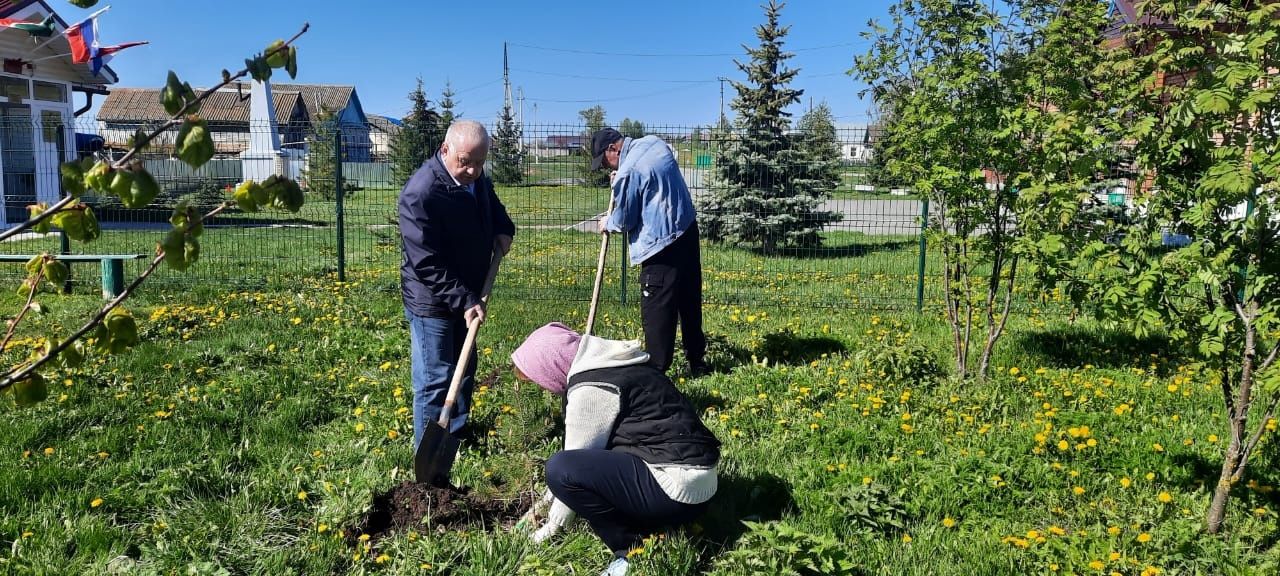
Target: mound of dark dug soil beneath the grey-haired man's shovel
(412, 506)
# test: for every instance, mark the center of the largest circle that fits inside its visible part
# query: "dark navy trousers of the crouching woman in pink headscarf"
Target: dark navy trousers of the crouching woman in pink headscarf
(616, 495)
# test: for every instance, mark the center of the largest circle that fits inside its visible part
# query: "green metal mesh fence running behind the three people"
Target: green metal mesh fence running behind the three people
(871, 255)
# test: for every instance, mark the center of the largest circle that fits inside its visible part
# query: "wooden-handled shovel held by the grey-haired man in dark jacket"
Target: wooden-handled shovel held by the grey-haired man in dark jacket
(440, 447)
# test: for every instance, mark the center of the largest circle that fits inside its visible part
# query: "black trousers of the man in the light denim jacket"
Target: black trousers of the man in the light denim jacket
(671, 291)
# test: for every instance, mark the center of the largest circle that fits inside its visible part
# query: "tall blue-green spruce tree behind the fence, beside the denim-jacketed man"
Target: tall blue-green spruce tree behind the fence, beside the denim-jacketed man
(765, 194)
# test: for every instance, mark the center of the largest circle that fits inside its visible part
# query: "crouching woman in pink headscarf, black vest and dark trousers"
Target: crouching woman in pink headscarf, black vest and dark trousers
(637, 458)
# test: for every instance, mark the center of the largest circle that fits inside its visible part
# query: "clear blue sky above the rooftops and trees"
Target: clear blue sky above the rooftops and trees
(655, 61)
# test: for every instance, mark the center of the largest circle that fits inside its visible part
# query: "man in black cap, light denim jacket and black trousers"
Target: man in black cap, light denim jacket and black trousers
(652, 205)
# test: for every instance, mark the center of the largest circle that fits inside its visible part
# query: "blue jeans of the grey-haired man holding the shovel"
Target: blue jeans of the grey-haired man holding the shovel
(436, 345)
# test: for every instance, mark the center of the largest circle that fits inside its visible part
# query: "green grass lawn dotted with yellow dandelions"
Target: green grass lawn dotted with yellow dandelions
(255, 426)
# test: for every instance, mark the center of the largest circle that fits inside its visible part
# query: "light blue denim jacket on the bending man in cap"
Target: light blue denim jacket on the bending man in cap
(651, 199)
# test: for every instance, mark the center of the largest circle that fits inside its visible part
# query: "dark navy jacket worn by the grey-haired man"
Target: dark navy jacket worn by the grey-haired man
(447, 235)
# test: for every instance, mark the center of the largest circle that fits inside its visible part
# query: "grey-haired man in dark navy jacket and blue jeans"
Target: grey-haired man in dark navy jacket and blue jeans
(451, 222)
